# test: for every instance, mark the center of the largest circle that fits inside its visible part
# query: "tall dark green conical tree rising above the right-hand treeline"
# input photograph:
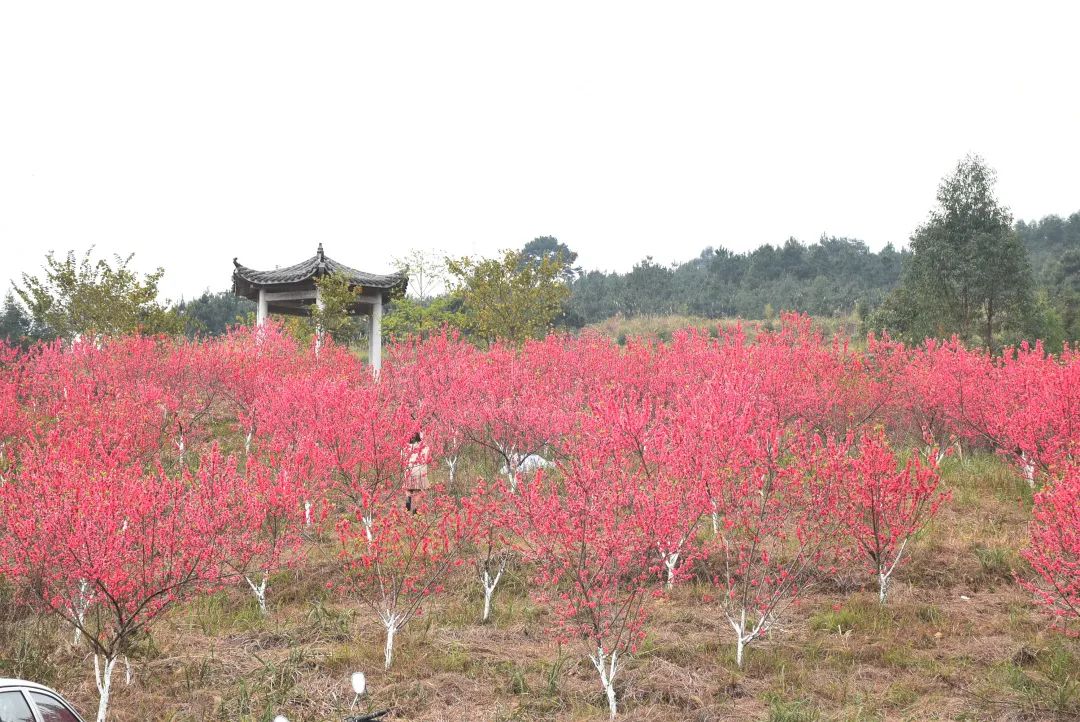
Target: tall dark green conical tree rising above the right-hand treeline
(968, 274)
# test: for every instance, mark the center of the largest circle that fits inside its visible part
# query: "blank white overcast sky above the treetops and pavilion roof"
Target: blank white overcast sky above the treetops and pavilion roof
(197, 132)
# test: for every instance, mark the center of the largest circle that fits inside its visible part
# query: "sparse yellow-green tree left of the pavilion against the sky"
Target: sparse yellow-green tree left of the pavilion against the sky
(76, 297)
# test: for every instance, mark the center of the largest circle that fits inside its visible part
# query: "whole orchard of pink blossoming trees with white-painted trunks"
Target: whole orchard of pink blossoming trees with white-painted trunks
(139, 473)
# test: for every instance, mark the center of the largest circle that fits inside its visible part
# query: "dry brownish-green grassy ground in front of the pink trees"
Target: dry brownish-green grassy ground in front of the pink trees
(960, 641)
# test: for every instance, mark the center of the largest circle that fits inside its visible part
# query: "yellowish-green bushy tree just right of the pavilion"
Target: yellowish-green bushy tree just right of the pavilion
(509, 298)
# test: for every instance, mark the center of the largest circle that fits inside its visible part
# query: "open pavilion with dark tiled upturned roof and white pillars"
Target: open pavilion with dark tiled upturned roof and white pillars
(292, 292)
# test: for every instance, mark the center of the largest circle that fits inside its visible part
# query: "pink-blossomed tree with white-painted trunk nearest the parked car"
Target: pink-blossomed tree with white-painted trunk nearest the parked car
(94, 541)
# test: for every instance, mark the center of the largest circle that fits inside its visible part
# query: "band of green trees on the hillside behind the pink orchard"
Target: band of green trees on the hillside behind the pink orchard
(969, 270)
